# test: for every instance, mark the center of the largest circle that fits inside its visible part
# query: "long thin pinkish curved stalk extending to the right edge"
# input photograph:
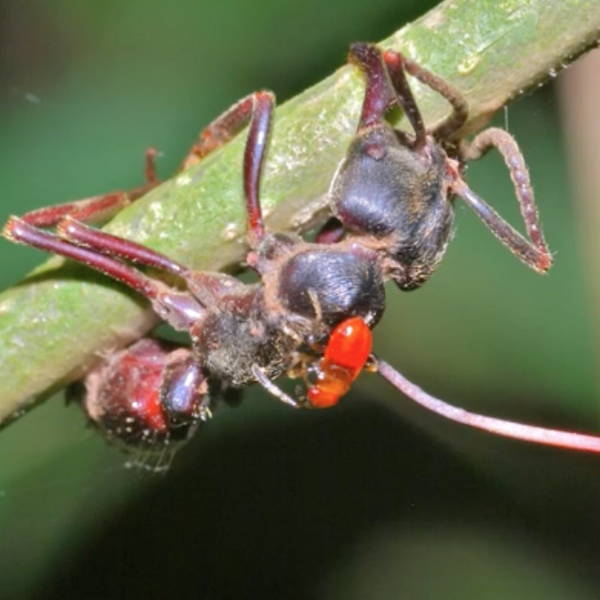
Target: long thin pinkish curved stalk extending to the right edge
(519, 431)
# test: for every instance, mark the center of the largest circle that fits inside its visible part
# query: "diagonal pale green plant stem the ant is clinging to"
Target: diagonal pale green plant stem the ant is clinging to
(55, 324)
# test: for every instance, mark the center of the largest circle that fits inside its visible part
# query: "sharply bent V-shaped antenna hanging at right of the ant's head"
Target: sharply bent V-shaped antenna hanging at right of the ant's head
(533, 253)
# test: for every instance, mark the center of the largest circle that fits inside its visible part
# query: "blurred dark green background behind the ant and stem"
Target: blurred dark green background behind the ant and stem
(372, 500)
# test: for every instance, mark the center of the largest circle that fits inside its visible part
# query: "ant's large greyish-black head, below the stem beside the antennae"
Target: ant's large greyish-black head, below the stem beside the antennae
(386, 189)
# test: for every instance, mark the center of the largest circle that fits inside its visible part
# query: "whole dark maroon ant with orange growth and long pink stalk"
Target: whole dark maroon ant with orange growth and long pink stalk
(311, 313)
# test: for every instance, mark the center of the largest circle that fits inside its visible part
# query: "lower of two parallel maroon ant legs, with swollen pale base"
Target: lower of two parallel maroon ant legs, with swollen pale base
(180, 309)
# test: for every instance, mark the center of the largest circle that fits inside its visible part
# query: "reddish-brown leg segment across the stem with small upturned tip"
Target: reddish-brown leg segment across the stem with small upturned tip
(97, 208)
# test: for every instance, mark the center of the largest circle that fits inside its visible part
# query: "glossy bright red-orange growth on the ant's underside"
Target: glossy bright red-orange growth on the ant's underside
(347, 351)
